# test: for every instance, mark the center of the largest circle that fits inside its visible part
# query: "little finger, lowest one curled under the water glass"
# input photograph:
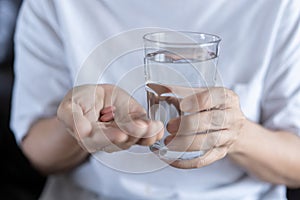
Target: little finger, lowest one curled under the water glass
(207, 159)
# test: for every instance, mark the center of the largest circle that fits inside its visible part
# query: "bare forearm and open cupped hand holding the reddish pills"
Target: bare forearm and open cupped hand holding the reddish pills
(63, 142)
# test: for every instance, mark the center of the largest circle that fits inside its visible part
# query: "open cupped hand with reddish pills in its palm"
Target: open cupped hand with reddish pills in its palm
(106, 118)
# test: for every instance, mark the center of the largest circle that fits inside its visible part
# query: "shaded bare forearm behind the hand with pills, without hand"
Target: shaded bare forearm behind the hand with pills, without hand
(50, 148)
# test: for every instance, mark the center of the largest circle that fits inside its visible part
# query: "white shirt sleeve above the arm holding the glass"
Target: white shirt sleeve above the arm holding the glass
(281, 95)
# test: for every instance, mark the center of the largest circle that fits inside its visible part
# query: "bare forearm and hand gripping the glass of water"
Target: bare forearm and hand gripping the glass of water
(231, 134)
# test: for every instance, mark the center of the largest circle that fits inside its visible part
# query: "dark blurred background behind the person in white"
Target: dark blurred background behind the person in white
(18, 179)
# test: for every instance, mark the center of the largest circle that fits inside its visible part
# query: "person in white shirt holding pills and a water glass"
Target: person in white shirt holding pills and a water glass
(256, 151)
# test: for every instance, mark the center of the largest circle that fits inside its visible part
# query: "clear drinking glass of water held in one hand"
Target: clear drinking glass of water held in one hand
(176, 65)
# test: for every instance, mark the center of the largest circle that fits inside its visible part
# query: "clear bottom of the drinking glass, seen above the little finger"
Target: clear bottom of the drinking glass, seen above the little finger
(164, 153)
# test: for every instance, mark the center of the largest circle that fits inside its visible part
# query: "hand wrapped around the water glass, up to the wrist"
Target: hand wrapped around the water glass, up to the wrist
(213, 124)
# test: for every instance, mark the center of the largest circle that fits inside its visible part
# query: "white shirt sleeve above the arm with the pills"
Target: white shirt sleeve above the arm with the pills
(41, 75)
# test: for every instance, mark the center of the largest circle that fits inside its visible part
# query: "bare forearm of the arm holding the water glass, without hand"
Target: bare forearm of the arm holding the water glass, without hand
(271, 156)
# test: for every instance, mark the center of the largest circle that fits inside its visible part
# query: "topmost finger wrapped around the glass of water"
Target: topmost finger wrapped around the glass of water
(211, 98)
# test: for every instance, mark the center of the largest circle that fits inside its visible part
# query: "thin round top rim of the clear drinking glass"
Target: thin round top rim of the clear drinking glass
(216, 39)
